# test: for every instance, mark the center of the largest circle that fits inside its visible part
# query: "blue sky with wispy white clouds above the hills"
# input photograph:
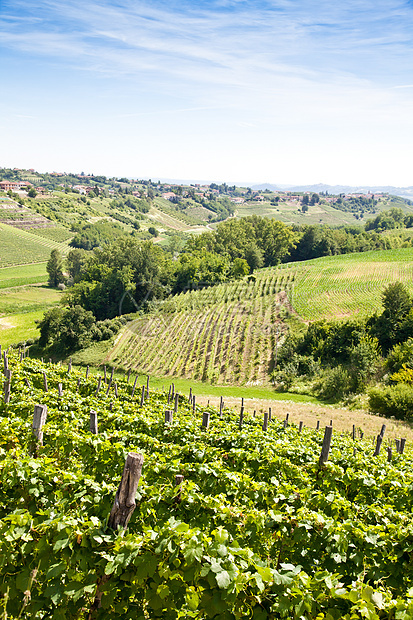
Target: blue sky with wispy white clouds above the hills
(284, 91)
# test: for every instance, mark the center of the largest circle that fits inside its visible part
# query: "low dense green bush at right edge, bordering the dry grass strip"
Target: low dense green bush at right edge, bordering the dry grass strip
(396, 401)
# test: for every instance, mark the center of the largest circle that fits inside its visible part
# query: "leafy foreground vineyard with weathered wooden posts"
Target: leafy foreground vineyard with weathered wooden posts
(231, 519)
